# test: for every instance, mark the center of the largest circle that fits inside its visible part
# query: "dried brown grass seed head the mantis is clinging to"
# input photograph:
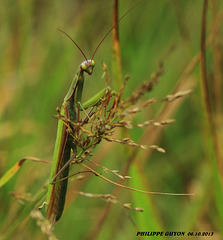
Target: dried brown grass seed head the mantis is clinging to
(113, 111)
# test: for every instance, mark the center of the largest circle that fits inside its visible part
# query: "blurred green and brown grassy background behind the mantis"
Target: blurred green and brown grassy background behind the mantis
(37, 64)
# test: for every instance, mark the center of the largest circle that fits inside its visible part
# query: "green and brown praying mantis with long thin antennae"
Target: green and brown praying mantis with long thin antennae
(64, 146)
